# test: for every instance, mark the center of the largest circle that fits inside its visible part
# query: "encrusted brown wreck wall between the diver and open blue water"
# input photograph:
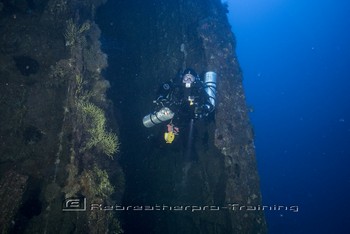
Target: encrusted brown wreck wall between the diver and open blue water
(233, 133)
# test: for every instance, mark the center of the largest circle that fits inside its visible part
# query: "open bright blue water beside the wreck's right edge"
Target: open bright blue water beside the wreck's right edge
(295, 56)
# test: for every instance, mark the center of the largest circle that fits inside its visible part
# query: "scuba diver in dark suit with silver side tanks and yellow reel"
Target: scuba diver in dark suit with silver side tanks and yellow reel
(183, 100)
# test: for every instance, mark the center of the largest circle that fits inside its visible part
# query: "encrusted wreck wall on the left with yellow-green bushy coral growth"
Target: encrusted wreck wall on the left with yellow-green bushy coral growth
(56, 133)
